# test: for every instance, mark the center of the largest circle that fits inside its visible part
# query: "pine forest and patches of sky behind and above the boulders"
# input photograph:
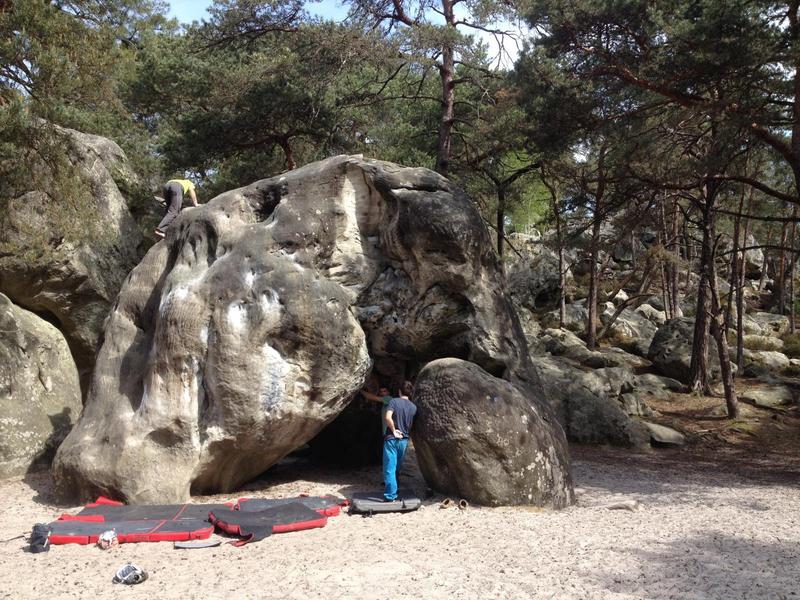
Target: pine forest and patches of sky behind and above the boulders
(590, 122)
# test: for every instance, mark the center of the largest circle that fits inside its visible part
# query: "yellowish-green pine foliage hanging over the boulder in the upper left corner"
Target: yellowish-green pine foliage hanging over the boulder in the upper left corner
(63, 64)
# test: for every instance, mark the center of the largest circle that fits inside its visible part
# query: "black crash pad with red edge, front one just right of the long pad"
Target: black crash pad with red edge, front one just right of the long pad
(253, 526)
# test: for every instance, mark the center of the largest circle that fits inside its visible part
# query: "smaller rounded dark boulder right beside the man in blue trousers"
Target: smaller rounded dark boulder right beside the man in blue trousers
(480, 438)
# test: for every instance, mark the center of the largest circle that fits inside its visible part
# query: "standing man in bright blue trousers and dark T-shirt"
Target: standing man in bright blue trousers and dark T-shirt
(399, 419)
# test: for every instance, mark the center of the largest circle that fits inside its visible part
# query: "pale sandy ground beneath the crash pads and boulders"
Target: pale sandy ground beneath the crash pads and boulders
(700, 533)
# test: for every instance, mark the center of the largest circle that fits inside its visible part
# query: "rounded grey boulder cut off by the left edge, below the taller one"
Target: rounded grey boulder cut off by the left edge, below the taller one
(40, 398)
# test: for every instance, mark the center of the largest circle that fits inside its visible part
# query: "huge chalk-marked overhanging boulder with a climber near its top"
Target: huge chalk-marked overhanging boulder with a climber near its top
(246, 331)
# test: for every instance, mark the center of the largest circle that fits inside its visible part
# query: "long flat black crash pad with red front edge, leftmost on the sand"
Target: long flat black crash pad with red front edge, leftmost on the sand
(87, 532)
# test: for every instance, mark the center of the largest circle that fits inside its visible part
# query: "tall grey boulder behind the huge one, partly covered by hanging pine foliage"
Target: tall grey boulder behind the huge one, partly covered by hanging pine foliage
(75, 286)
